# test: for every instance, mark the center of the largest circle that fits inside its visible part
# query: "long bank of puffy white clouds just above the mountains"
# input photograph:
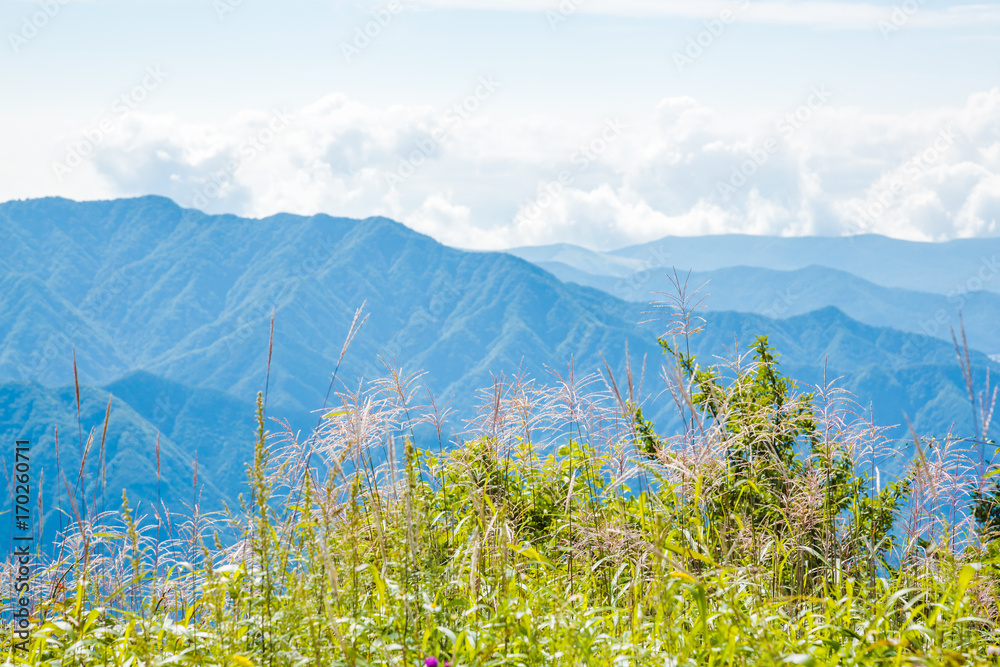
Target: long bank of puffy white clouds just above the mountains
(485, 182)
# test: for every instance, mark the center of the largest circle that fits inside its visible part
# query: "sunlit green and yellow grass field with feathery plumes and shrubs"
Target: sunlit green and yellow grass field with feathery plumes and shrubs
(560, 529)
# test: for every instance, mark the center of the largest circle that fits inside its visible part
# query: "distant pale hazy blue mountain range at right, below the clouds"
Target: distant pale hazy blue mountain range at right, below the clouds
(927, 288)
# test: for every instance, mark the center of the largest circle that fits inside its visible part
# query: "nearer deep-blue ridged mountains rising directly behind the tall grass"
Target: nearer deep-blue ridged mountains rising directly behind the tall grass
(168, 311)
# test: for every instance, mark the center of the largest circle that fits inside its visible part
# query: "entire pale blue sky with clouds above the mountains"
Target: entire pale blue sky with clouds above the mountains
(491, 124)
